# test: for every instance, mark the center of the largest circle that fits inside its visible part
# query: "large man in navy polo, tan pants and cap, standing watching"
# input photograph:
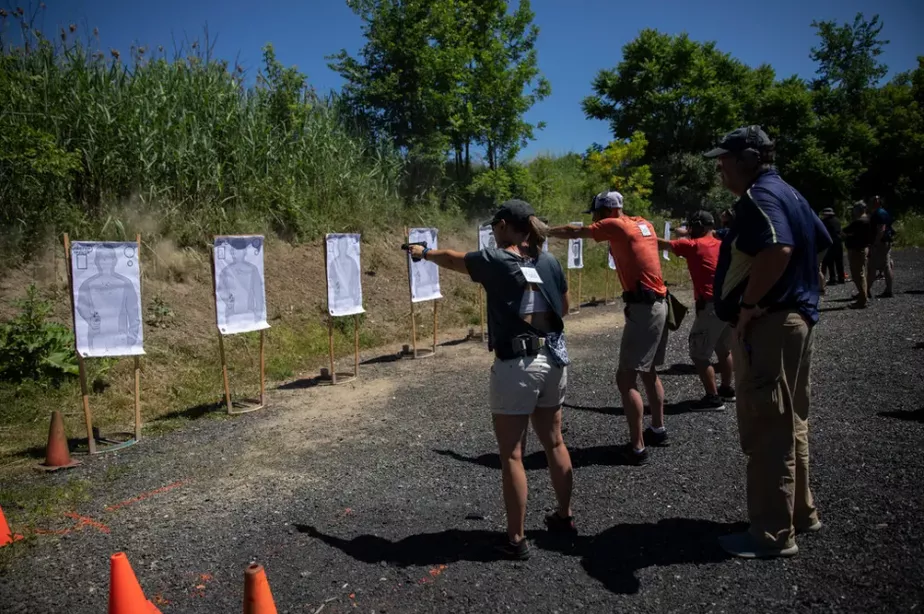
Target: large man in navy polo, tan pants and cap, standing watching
(767, 287)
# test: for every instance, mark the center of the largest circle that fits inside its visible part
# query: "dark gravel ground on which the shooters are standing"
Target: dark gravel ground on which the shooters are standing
(384, 496)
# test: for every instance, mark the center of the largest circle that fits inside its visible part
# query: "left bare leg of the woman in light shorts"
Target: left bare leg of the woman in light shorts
(510, 432)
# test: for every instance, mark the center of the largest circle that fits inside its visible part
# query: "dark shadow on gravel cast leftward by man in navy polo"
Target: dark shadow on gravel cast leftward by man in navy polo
(614, 556)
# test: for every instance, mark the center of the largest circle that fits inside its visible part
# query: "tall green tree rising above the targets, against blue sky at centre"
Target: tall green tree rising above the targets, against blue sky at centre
(441, 75)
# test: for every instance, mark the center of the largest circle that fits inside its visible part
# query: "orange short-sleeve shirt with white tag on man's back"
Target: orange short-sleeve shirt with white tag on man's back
(634, 245)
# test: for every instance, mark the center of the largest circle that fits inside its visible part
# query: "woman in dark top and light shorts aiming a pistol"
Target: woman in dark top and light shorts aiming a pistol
(527, 299)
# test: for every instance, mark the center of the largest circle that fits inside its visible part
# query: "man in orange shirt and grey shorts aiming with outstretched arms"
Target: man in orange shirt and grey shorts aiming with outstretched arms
(634, 245)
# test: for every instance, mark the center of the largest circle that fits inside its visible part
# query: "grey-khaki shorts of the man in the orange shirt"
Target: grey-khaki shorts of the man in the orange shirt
(644, 340)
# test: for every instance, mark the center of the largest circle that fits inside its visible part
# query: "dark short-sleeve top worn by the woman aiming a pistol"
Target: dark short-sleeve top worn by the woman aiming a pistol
(499, 272)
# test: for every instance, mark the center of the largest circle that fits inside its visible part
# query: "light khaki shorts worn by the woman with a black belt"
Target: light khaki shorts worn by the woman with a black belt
(520, 385)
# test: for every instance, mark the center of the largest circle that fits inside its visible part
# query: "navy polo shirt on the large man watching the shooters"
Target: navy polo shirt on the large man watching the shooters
(771, 212)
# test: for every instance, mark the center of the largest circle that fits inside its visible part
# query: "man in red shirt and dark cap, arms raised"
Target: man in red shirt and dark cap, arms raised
(709, 334)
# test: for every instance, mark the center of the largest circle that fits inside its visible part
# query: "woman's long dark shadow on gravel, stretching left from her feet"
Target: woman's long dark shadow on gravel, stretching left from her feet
(421, 549)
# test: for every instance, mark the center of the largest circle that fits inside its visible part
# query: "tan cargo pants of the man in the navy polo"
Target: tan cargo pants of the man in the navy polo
(772, 369)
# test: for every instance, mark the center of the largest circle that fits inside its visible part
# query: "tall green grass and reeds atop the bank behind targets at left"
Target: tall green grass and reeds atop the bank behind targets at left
(94, 142)
